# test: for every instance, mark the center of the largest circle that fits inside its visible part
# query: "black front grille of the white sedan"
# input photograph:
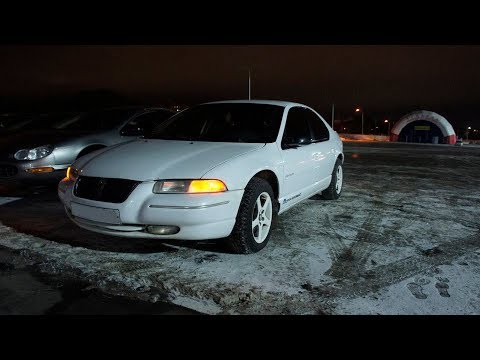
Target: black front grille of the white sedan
(104, 189)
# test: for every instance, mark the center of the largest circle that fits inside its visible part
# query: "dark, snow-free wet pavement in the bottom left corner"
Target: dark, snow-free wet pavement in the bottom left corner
(26, 291)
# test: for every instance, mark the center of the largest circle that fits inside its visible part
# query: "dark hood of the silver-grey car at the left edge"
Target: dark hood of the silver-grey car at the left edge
(12, 142)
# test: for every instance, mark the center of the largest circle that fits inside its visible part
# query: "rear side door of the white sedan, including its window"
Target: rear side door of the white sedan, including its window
(323, 153)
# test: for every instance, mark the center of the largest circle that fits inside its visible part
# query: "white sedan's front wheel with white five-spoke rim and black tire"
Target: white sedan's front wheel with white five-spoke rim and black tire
(253, 228)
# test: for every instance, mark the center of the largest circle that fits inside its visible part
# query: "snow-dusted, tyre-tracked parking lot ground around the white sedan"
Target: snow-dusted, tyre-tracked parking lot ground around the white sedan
(404, 238)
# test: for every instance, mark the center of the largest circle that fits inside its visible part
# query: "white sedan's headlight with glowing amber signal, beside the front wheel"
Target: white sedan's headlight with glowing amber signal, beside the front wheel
(189, 186)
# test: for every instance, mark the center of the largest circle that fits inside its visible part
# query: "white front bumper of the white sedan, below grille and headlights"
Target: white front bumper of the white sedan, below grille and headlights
(199, 216)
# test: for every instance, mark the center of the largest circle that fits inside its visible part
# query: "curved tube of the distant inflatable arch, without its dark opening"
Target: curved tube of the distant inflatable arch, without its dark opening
(449, 136)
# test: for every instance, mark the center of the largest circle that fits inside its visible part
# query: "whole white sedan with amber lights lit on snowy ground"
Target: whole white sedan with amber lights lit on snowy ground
(216, 170)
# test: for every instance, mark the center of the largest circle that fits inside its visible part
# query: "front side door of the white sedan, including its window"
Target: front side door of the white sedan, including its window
(297, 153)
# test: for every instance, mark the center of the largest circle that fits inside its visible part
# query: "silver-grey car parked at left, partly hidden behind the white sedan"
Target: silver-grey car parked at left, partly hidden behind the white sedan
(43, 149)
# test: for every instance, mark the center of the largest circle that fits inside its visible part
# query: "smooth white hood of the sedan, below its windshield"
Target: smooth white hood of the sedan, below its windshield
(151, 159)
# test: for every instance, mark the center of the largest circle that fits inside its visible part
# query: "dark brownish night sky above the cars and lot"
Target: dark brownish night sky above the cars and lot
(386, 81)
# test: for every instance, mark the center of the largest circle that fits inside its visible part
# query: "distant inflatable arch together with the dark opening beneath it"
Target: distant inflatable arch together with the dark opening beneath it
(423, 127)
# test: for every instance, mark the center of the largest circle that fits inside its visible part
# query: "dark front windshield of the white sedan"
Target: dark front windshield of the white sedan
(223, 122)
